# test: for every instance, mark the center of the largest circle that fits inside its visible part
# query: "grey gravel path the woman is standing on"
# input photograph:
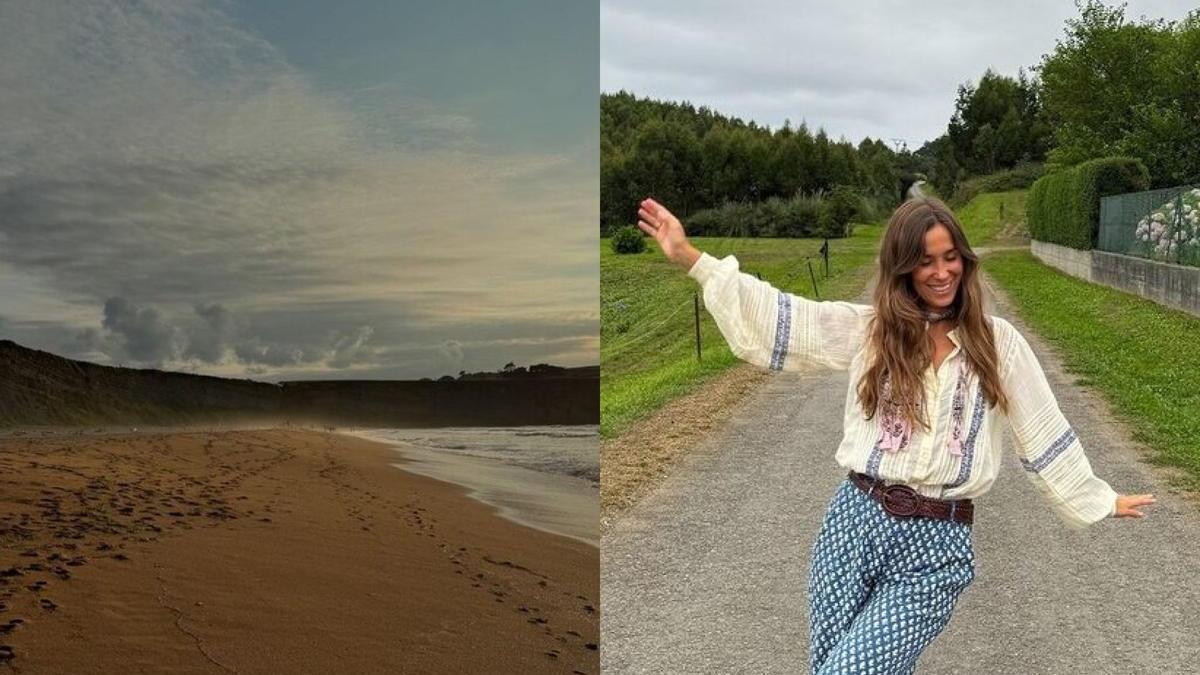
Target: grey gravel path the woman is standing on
(709, 574)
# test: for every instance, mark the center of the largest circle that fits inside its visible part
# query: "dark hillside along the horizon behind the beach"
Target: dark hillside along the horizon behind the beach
(40, 389)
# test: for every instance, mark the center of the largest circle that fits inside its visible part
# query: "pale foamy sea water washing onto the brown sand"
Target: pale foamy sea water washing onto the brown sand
(543, 477)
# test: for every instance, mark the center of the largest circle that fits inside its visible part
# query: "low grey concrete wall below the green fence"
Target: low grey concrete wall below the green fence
(1175, 286)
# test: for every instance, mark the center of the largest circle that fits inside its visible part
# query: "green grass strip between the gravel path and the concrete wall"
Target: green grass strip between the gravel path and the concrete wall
(1143, 357)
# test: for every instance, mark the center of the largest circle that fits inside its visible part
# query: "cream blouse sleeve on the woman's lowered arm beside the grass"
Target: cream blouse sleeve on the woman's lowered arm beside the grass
(1047, 446)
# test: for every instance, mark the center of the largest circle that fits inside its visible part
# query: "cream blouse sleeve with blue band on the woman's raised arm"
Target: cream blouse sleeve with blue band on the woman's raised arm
(776, 330)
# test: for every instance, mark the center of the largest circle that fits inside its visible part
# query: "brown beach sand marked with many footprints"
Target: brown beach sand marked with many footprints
(272, 552)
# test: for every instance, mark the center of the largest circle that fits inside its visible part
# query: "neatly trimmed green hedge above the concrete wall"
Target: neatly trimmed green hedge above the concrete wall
(1065, 206)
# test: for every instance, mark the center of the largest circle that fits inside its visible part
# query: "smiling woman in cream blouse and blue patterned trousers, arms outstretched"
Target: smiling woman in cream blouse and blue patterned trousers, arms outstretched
(933, 380)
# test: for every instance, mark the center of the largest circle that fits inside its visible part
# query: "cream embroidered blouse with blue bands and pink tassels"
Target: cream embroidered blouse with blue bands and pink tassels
(959, 457)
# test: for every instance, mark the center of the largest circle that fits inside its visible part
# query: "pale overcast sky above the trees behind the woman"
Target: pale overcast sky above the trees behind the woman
(883, 69)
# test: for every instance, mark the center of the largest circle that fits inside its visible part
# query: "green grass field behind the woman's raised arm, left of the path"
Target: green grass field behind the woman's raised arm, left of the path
(647, 321)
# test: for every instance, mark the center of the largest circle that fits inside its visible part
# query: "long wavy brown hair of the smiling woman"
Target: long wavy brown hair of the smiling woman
(901, 347)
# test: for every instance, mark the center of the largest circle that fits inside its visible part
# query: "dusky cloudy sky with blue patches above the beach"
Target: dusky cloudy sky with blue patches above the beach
(284, 190)
